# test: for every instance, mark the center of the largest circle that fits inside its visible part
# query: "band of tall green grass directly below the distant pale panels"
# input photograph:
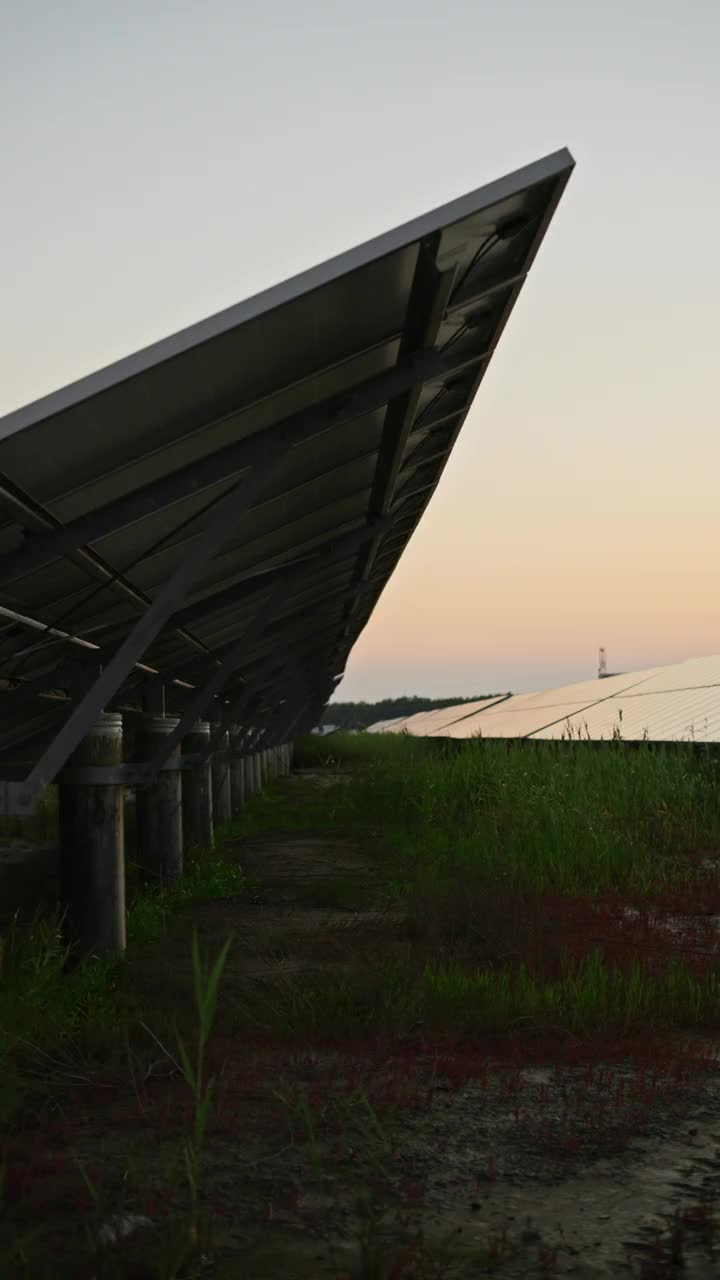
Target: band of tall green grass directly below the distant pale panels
(549, 816)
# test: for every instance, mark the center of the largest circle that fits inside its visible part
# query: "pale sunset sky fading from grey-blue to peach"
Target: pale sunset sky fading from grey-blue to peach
(165, 161)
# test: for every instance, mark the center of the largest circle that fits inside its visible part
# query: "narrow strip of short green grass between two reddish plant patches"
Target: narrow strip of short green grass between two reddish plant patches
(590, 998)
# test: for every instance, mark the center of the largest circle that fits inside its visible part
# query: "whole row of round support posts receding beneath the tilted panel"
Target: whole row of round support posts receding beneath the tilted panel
(180, 810)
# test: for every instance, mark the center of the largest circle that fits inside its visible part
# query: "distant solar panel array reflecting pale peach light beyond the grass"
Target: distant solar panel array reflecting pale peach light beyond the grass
(663, 705)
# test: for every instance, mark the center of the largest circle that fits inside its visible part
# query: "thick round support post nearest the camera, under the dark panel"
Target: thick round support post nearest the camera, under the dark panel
(93, 871)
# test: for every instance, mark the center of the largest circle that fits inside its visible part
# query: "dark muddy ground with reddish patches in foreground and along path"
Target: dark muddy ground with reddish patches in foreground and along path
(421, 1165)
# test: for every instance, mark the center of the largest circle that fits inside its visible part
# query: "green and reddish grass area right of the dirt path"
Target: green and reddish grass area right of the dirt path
(540, 888)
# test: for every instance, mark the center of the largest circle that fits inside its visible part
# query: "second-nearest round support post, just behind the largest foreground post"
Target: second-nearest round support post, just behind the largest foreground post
(160, 807)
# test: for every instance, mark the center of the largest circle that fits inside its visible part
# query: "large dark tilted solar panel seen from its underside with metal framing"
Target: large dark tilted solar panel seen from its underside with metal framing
(207, 525)
